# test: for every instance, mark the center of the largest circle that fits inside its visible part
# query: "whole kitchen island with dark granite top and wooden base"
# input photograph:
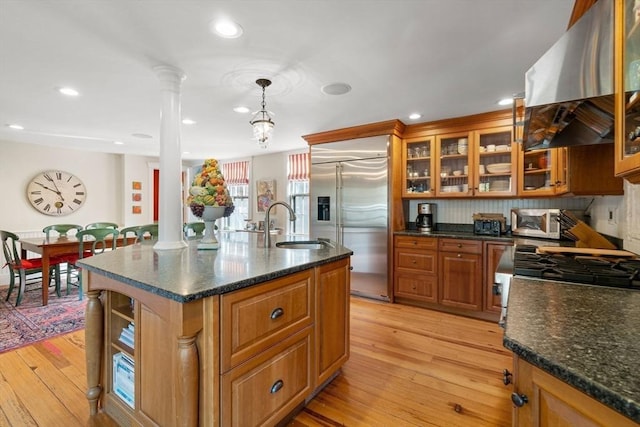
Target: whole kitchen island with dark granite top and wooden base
(244, 335)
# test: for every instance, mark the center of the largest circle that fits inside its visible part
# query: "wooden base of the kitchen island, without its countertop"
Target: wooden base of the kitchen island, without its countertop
(244, 358)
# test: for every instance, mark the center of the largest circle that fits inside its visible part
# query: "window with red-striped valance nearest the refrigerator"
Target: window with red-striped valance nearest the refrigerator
(298, 190)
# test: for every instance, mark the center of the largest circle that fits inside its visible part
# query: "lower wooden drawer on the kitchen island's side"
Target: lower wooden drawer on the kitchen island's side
(268, 386)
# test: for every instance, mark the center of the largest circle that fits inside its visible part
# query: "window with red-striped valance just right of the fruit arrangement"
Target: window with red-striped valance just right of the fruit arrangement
(236, 175)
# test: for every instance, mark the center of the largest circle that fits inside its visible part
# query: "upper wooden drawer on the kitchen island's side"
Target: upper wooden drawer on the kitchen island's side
(254, 319)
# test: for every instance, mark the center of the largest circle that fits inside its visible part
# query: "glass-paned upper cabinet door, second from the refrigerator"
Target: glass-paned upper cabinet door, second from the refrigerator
(453, 168)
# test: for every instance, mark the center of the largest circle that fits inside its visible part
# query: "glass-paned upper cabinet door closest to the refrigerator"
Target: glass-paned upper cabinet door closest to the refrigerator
(419, 167)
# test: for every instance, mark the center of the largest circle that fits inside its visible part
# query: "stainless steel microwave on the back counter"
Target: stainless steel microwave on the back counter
(536, 223)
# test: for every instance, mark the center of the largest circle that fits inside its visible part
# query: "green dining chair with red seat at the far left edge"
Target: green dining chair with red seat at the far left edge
(24, 267)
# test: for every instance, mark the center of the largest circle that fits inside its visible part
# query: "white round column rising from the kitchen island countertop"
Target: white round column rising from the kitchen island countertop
(170, 195)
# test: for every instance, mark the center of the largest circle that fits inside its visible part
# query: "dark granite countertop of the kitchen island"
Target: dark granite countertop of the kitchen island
(188, 274)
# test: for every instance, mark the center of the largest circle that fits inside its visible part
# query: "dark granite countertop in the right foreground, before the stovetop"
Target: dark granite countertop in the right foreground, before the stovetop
(587, 336)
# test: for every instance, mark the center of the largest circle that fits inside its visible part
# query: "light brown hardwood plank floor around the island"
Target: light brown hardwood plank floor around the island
(408, 367)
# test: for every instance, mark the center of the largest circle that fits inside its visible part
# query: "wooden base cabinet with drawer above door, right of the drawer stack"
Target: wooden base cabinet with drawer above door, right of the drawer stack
(460, 273)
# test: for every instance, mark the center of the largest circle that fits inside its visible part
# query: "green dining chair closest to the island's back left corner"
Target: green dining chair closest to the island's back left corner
(103, 239)
